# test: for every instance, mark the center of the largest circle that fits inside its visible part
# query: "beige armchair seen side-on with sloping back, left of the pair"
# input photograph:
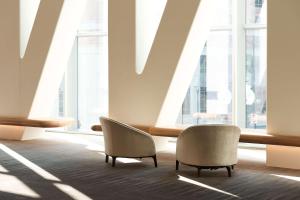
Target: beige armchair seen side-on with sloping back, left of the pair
(122, 140)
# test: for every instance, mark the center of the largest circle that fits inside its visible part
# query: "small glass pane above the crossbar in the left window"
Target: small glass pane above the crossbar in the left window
(95, 16)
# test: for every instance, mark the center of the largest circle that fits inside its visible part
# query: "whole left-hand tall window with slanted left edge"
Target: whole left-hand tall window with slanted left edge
(83, 94)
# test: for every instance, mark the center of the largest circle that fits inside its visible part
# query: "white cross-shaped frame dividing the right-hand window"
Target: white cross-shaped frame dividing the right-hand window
(239, 28)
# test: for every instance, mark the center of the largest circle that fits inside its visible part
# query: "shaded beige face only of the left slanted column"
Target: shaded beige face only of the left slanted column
(32, 64)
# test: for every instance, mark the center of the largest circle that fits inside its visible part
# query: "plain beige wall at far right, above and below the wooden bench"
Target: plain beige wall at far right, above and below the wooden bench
(283, 113)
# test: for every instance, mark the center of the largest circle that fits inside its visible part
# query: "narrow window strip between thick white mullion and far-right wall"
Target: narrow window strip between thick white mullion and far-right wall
(255, 34)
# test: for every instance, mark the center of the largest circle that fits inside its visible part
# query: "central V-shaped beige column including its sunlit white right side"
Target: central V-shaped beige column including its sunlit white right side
(153, 96)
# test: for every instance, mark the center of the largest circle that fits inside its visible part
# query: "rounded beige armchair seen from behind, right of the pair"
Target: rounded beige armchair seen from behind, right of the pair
(208, 147)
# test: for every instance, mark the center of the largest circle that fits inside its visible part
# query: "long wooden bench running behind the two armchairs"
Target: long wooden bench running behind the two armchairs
(246, 136)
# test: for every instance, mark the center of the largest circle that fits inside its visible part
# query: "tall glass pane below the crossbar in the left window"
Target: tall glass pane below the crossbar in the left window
(92, 80)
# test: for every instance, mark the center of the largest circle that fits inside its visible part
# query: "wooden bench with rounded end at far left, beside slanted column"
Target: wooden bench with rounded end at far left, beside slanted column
(38, 123)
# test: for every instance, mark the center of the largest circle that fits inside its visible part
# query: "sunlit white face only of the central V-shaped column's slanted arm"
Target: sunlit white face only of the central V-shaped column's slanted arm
(187, 62)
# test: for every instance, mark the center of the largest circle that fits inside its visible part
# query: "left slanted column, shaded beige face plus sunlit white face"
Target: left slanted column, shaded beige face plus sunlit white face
(44, 62)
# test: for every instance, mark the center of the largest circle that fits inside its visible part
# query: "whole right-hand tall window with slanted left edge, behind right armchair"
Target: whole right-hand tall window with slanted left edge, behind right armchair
(236, 46)
